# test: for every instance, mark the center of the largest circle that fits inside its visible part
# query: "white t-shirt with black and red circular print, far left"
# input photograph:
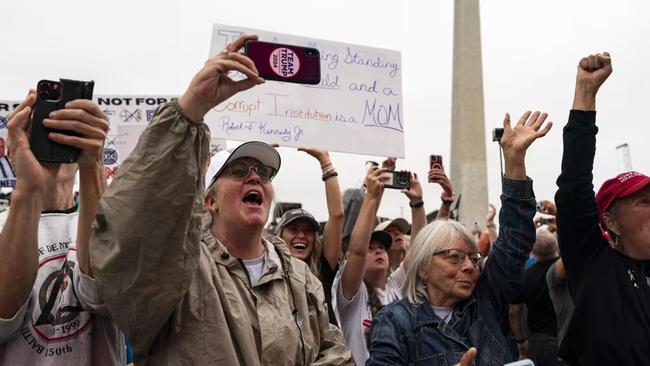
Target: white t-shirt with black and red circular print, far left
(57, 325)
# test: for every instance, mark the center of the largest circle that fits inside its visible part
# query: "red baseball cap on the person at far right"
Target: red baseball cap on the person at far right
(622, 185)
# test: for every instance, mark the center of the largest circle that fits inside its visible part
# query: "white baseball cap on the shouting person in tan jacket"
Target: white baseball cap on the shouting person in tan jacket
(260, 151)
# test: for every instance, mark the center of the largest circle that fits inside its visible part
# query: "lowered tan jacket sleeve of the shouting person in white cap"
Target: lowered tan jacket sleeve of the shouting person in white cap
(333, 349)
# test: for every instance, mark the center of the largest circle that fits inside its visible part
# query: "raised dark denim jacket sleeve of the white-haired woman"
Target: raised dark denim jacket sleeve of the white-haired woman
(504, 272)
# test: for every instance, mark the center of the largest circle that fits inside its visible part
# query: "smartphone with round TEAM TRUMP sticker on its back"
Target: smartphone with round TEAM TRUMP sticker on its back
(282, 62)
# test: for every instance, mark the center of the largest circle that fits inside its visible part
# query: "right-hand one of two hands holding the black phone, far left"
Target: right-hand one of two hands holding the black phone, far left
(85, 118)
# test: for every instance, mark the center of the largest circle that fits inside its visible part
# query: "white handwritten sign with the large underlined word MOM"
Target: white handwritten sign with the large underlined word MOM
(356, 108)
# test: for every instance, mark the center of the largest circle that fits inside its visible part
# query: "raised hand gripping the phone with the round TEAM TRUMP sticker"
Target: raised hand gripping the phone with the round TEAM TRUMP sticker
(212, 85)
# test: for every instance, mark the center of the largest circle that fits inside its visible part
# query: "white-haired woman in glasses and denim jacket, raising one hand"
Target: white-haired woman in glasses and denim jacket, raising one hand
(451, 312)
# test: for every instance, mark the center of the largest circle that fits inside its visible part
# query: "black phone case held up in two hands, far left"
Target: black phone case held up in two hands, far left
(44, 149)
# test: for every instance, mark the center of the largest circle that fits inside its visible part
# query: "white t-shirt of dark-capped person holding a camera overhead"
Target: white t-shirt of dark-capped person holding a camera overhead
(354, 315)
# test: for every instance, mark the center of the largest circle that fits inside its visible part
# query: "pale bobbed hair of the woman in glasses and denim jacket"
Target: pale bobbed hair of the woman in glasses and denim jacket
(435, 237)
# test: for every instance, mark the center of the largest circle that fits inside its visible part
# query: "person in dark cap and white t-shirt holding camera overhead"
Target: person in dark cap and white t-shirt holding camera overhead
(364, 285)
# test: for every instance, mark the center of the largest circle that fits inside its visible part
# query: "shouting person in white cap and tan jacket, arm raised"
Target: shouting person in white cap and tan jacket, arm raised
(206, 295)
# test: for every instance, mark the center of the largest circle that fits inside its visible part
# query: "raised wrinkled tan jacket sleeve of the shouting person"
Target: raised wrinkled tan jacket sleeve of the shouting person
(146, 236)
